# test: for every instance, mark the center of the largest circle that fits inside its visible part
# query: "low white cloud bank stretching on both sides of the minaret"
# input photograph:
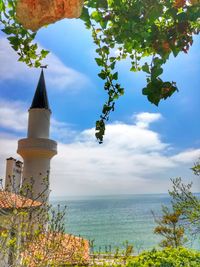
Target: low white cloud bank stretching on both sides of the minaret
(133, 158)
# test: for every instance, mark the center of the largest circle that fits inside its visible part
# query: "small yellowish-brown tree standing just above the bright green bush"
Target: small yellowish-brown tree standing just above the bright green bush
(169, 227)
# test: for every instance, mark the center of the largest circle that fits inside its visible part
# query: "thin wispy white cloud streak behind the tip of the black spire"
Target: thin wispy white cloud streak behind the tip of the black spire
(58, 76)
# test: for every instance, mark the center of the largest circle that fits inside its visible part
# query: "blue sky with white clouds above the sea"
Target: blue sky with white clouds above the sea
(144, 145)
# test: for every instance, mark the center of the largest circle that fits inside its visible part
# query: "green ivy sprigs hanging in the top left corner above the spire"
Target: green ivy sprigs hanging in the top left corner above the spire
(21, 40)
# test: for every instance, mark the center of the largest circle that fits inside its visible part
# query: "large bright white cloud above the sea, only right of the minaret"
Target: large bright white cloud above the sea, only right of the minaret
(133, 159)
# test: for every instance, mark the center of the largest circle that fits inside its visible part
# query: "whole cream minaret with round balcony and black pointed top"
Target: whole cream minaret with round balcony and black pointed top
(37, 149)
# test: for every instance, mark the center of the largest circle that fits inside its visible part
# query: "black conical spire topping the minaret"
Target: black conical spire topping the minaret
(40, 99)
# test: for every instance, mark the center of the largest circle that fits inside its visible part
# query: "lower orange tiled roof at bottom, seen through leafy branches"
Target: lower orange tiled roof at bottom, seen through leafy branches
(59, 248)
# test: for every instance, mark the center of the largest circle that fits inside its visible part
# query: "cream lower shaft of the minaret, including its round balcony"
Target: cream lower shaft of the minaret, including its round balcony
(37, 153)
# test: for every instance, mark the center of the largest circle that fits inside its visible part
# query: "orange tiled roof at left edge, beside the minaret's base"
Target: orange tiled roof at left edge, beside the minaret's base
(10, 200)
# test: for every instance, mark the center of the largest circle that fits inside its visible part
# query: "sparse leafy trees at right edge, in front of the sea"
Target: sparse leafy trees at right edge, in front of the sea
(184, 214)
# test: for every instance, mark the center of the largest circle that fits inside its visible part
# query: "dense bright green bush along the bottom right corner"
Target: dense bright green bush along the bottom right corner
(169, 257)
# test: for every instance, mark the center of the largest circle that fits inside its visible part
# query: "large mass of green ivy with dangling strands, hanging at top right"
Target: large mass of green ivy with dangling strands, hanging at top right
(138, 29)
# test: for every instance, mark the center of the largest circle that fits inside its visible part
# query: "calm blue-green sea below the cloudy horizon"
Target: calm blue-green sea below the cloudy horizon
(110, 222)
